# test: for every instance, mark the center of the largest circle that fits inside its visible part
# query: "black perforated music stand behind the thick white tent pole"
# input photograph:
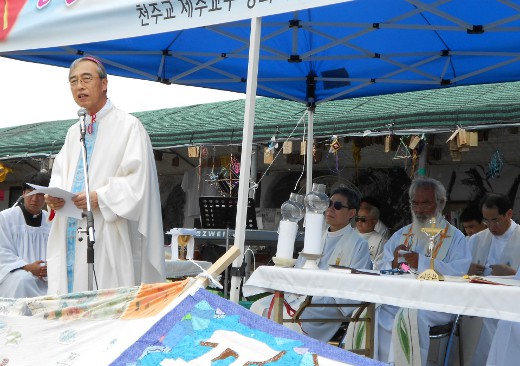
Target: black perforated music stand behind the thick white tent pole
(221, 213)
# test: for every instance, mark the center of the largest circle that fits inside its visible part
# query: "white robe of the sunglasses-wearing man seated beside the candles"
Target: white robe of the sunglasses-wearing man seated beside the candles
(344, 247)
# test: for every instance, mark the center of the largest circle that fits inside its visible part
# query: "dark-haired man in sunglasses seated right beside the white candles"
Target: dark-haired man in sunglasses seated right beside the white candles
(342, 245)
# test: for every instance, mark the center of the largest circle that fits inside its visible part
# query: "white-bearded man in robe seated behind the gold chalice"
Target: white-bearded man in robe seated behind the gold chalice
(410, 244)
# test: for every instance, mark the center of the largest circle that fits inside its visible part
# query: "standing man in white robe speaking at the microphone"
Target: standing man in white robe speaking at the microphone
(124, 194)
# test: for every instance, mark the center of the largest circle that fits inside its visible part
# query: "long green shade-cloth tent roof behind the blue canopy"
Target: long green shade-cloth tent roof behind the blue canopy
(429, 111)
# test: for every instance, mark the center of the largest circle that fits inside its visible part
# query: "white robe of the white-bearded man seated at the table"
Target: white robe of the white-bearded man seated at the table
(455, 262)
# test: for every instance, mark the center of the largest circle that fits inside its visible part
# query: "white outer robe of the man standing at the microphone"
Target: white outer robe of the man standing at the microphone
(129, 241)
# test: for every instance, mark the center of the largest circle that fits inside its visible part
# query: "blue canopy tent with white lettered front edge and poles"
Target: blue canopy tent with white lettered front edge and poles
(308, 51)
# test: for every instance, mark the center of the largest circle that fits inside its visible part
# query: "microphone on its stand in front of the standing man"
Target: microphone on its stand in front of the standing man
(88, 214)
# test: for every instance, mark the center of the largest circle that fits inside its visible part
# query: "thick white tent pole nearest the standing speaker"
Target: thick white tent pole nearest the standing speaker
(245, 160)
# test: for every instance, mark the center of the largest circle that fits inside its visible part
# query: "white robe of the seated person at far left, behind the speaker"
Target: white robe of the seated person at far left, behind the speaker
(21, 244)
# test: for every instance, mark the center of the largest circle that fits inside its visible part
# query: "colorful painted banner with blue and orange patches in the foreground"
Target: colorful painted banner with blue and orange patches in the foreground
(152, 325)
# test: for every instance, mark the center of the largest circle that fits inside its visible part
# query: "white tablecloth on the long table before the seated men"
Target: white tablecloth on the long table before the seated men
(450, 296)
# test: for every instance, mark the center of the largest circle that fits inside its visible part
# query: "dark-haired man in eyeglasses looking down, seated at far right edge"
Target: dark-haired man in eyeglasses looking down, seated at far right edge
(496, 252)
